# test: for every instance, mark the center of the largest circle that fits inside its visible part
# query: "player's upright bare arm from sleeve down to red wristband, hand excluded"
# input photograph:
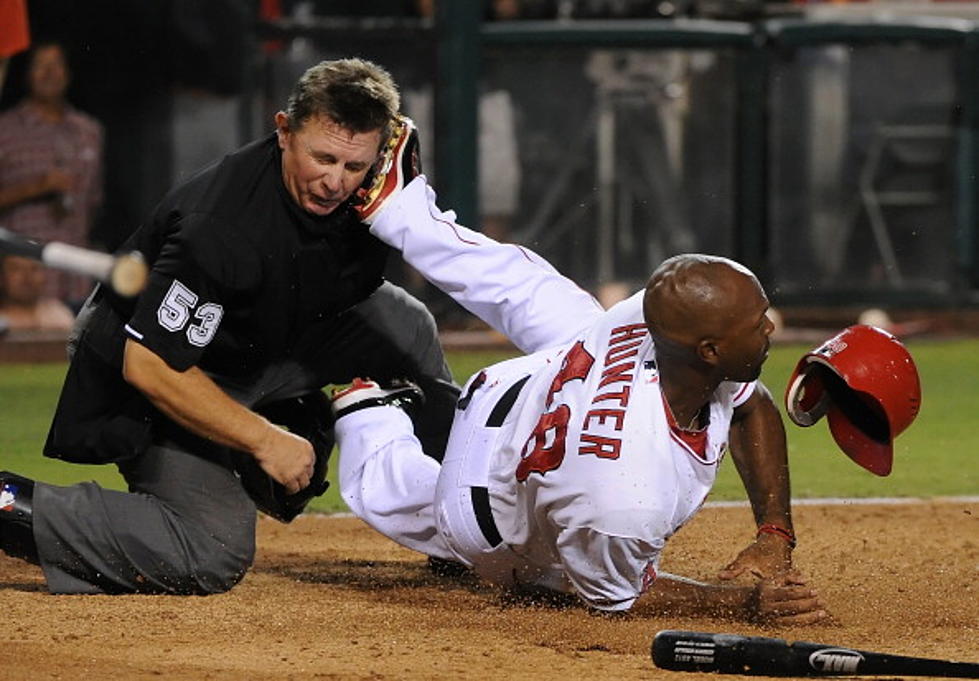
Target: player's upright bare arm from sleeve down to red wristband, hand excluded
(757, 440)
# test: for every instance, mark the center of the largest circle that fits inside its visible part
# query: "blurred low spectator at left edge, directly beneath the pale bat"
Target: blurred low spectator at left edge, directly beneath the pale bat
(23, 305)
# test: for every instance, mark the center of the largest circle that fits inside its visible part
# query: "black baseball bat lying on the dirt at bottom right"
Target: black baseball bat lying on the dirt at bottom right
(696, 651)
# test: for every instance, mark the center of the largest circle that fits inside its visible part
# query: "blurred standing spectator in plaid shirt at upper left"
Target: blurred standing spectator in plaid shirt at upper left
(50, 165)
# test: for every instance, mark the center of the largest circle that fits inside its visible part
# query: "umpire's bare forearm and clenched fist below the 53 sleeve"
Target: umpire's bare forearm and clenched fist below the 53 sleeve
(195, 402)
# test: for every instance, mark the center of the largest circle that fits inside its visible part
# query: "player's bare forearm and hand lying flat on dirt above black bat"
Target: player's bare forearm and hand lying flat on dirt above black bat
(785, 600)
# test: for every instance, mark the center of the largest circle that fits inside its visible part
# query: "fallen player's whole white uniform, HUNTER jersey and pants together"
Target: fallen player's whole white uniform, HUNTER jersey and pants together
(570, 447)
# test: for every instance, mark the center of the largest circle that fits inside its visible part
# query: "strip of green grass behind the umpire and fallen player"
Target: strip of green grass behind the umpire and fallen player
(935, 457)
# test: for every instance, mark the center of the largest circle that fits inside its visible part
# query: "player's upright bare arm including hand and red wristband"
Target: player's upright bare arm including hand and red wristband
(758, 448)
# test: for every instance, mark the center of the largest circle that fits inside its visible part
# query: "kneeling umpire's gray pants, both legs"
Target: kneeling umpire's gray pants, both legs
(187, 526)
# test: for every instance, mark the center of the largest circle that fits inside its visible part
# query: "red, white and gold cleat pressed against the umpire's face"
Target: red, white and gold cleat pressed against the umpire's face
(399, 164)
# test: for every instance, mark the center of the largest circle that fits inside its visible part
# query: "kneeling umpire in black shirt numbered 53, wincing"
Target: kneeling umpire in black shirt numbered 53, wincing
(264, 287)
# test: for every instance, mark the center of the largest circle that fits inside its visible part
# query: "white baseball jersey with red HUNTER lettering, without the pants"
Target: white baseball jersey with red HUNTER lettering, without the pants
(588, 480)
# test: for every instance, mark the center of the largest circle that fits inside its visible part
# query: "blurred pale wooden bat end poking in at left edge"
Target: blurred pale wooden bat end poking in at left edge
(126, 273)
